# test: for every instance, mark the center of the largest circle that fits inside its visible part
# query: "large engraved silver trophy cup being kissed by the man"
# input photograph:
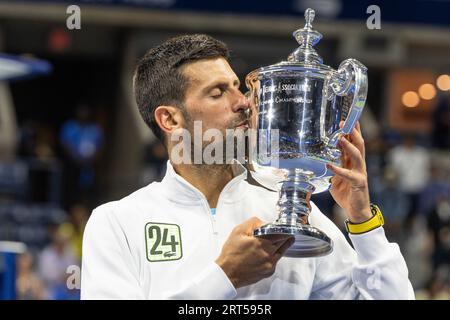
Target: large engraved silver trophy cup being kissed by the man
(297, 106)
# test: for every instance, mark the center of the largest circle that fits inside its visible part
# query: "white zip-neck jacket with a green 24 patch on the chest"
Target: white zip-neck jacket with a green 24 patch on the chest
(161, 242)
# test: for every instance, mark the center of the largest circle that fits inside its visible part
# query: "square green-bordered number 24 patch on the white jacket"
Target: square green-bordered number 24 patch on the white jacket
(163, 242)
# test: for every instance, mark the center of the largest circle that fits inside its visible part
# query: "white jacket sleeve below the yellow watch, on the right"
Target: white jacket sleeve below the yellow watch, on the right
(374, 269)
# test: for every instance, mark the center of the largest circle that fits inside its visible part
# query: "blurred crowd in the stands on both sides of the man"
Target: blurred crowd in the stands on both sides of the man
(409, 177)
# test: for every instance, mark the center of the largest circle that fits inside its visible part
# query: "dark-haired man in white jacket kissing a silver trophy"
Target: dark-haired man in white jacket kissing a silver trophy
(191, 236)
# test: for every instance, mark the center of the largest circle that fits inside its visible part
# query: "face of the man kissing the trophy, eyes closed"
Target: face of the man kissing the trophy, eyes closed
(213, 97)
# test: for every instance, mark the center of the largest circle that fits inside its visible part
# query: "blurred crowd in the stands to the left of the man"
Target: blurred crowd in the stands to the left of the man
(48, 206)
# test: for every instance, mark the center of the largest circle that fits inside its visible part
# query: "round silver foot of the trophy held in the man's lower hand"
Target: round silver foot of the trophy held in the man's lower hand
(309, 241)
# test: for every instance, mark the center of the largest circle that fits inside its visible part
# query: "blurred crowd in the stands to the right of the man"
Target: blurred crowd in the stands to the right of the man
(409, 179)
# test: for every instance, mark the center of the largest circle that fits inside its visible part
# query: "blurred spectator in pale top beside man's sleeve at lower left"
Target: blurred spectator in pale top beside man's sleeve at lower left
(54, 261)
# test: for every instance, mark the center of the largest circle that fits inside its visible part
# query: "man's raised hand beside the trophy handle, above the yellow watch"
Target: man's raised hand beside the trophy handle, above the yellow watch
(349, 186)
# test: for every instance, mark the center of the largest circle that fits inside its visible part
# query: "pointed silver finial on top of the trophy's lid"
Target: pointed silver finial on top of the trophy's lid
(307, 37)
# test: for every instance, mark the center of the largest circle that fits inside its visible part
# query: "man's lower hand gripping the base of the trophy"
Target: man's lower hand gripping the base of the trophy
(246, 259)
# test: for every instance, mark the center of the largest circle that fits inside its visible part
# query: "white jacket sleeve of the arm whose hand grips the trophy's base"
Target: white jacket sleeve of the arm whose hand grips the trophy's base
(110, 272)
